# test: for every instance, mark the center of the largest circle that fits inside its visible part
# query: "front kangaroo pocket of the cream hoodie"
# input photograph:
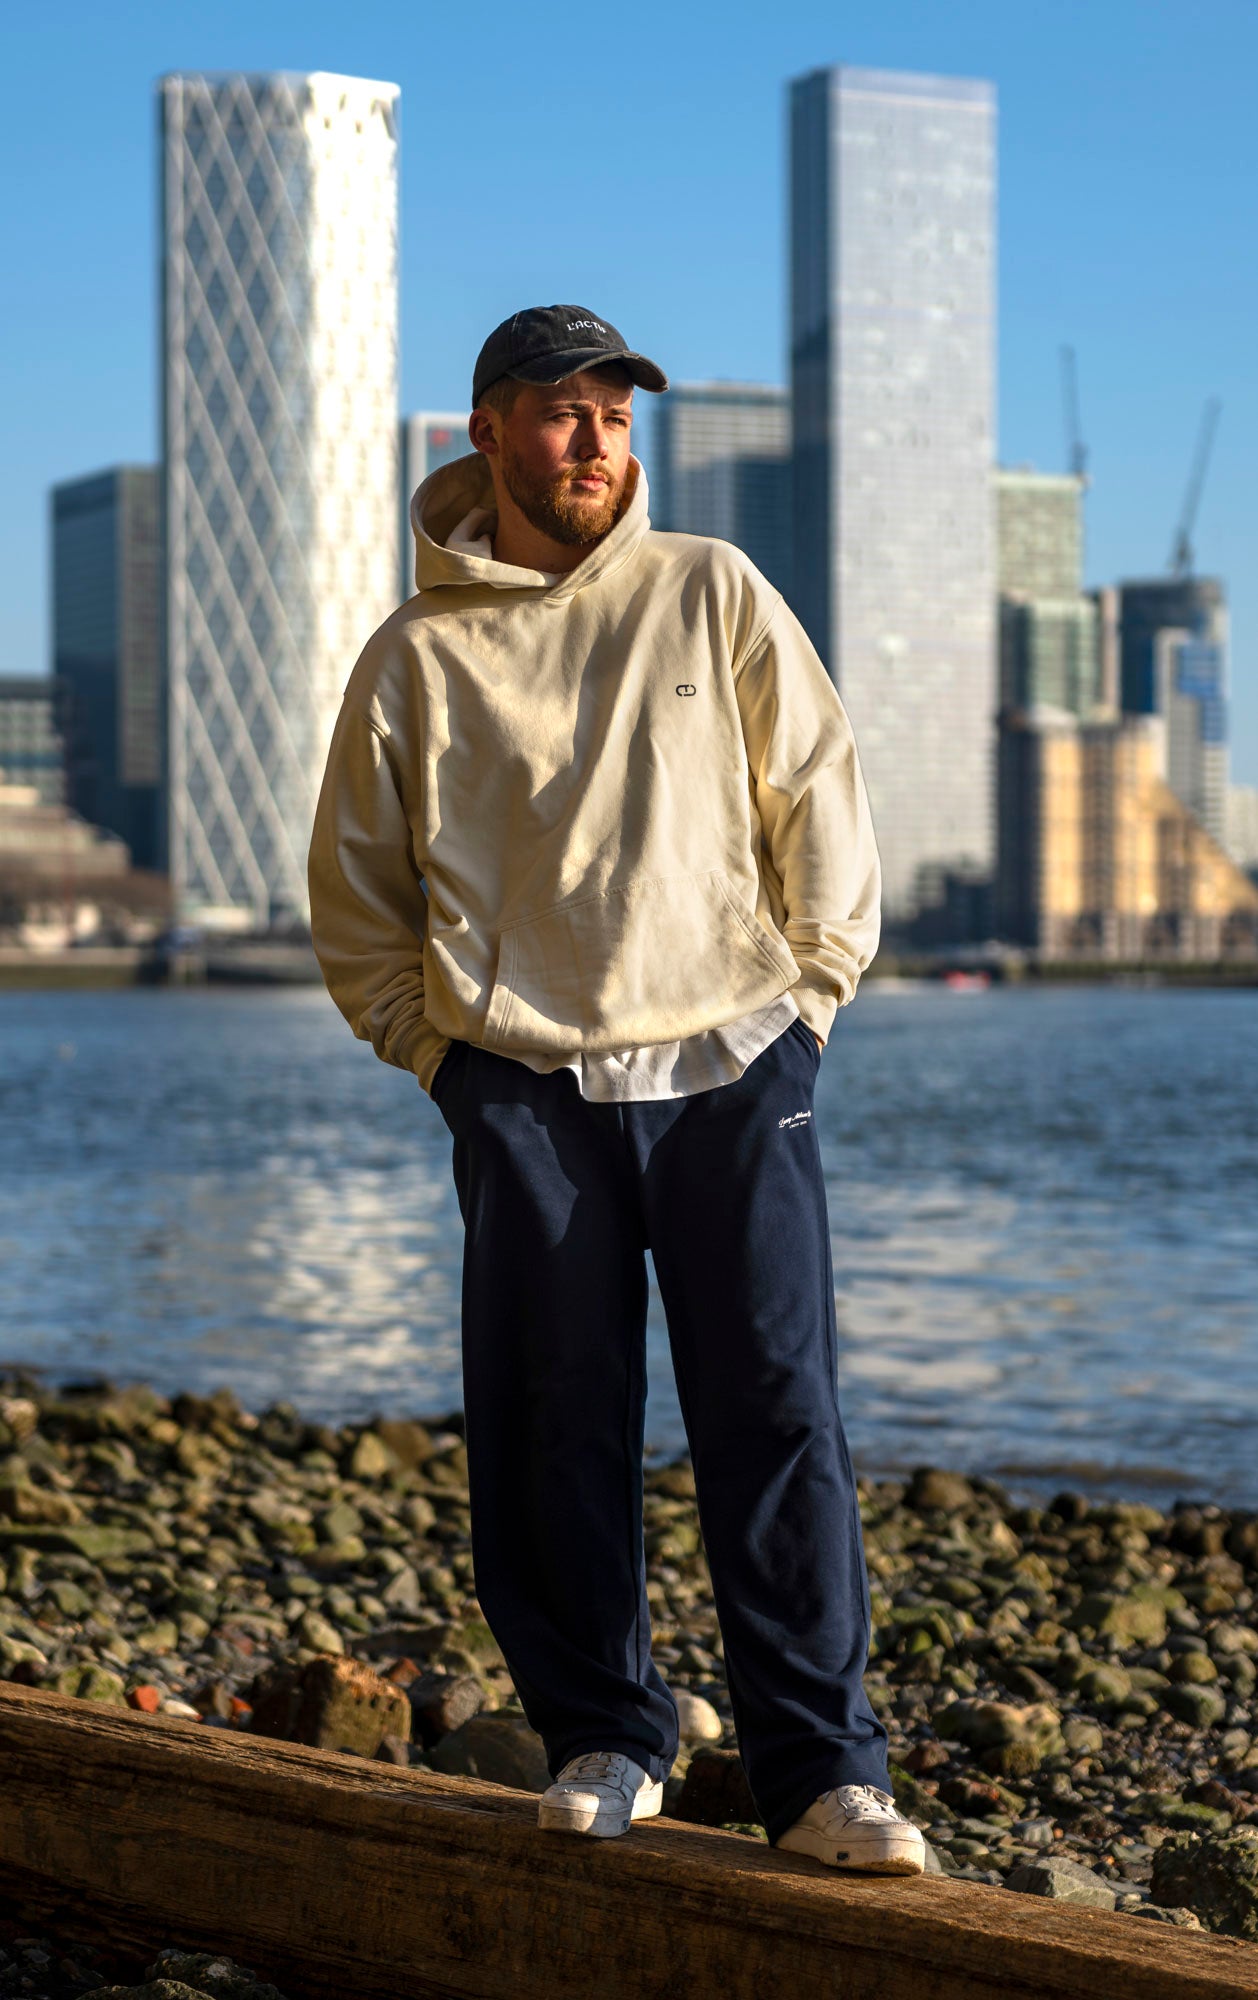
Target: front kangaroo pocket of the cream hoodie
(649, 963)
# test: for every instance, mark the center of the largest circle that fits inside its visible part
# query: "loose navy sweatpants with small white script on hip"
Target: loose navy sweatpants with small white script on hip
(561, 1201)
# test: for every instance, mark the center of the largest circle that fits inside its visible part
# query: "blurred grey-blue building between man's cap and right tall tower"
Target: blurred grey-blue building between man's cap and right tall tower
(721, 467)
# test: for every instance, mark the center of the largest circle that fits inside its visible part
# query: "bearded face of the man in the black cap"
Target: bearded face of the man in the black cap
(565, 453)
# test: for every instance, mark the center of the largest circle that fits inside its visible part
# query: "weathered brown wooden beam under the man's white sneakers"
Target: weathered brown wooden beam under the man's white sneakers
(351, 1881)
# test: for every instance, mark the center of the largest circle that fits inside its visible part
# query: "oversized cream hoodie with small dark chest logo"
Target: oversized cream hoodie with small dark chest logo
(587, 813)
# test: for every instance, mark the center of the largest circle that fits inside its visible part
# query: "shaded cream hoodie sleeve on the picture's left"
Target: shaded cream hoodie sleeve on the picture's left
(367, 901)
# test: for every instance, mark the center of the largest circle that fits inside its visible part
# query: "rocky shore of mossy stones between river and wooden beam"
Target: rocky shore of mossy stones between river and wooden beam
(1071, 1689)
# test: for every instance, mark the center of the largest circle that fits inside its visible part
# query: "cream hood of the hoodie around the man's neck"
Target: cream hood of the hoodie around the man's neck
(453, 491)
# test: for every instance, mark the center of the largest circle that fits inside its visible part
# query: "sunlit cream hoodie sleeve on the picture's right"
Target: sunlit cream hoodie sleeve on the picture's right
(815, 815)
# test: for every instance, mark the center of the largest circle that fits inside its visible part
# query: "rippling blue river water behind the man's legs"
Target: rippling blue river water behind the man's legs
(1045, 1215)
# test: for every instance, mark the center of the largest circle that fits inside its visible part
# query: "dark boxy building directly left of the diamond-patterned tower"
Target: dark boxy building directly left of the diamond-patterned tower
(107, 653)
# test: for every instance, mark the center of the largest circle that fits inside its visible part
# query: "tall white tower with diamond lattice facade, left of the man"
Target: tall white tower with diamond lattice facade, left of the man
(281, 443)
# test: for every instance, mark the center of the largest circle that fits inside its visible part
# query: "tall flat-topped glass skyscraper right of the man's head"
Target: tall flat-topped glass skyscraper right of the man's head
(893, 187)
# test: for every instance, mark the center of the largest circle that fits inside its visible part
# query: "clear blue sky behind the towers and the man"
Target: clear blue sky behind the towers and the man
(633, 163)
